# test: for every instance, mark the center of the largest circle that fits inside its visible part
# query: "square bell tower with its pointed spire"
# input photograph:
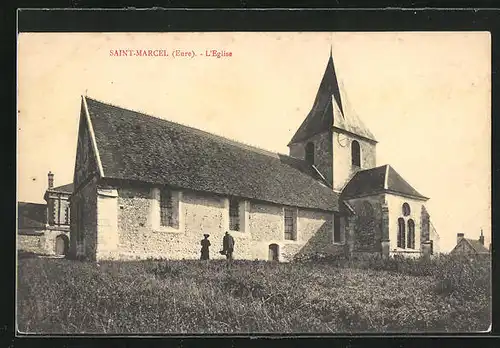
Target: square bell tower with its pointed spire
(333, 138)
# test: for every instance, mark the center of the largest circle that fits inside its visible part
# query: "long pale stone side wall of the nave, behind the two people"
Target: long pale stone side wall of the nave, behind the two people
(200, 213)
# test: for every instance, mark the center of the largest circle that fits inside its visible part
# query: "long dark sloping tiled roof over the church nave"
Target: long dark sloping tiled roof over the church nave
(138, 147)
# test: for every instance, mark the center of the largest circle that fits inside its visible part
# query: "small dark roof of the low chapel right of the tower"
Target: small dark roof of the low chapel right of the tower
(378, 180)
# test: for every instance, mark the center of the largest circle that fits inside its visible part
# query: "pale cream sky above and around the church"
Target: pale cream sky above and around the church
(425, 96)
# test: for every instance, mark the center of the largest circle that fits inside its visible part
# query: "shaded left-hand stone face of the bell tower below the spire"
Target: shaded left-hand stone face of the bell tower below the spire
(323, 158)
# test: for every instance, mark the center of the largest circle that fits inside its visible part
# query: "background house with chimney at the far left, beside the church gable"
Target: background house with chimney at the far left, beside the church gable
(45, 228)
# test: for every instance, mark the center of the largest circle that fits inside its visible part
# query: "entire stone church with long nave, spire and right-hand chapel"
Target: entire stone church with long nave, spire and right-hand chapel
(147, 187)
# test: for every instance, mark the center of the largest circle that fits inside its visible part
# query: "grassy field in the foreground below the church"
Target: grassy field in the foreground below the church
(63, 296)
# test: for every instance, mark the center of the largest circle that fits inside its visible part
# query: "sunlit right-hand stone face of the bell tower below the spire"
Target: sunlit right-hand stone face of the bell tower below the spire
(343, 170)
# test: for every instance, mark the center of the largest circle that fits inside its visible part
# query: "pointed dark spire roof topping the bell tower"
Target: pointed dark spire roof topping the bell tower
(331, 110)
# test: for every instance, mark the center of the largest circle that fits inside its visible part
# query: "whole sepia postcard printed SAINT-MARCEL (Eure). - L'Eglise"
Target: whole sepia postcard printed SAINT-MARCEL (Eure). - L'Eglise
(254, 182)
